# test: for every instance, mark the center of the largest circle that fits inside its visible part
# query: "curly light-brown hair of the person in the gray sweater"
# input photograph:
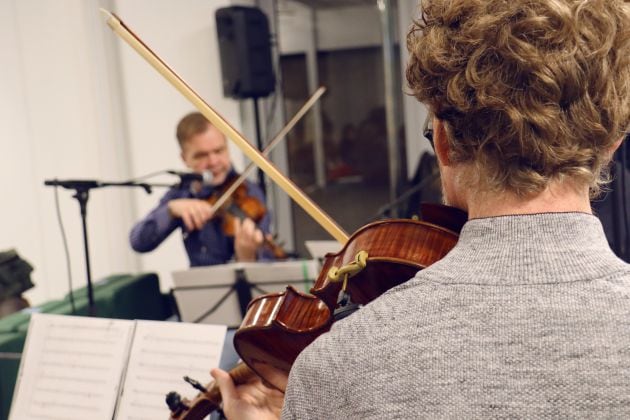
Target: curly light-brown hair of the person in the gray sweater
(530, 91)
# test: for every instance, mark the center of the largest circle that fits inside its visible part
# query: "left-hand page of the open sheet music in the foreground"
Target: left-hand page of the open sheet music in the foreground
(71, 368)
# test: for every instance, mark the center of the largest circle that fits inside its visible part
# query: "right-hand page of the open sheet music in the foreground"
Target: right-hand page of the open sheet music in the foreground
(161, 354)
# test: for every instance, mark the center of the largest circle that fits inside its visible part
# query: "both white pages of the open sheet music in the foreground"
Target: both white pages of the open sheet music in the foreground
(73, 367)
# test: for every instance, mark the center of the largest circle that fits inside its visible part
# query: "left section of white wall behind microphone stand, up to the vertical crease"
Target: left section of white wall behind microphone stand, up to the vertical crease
(59, 117)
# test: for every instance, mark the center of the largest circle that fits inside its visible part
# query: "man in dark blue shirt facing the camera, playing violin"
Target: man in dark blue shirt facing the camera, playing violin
(203, 148)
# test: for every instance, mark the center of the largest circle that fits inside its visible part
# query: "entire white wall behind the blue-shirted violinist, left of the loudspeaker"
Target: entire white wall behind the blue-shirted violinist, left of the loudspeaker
(79, 103)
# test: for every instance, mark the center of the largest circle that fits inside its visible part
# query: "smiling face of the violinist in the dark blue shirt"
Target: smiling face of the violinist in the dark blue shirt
(207, 151)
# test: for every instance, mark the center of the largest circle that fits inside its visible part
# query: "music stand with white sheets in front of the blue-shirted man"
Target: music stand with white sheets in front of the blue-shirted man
(220, 294)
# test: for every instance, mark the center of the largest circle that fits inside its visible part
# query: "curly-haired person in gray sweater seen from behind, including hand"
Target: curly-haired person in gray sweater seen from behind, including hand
(528, 316)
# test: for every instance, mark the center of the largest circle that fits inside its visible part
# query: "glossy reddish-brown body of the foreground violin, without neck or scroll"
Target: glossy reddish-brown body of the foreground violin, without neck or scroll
(278, 327)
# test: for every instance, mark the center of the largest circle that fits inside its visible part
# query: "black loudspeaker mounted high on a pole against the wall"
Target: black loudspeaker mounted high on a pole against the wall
(245, 48)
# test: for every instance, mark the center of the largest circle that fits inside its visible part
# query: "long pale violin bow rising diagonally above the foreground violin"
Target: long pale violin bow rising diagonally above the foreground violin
(324, 220)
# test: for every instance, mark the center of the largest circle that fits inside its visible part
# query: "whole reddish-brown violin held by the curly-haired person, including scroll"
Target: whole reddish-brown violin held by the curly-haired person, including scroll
(278, 326)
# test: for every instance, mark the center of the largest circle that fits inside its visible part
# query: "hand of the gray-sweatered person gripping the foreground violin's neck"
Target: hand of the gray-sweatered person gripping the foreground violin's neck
(251, 400)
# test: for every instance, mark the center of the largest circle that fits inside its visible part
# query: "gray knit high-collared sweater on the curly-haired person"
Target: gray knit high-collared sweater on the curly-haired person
(527, 317)
